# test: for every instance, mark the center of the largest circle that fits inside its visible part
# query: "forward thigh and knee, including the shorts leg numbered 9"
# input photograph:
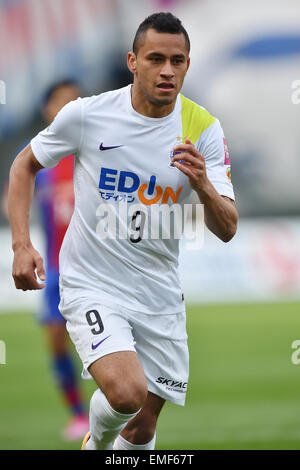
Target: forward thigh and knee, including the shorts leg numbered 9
(103, 338)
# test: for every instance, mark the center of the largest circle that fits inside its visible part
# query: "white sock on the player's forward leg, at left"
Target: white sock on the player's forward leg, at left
(105, 423)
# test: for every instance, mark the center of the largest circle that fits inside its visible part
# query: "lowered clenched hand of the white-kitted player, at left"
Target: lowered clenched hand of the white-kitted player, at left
(27, 265)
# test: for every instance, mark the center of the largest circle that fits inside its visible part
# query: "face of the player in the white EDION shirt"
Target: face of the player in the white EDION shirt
(160, 67)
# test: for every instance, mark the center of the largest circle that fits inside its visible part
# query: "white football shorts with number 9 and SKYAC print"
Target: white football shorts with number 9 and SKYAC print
(160, 341)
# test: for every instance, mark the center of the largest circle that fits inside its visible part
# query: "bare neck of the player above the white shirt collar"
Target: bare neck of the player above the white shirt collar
(143, 106)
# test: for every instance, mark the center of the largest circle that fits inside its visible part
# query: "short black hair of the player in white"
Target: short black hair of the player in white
(163, 22)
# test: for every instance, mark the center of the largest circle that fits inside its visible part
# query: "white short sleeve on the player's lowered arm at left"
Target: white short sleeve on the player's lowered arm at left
(61, 138)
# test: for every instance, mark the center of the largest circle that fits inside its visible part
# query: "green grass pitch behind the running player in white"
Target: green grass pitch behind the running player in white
(244, 391)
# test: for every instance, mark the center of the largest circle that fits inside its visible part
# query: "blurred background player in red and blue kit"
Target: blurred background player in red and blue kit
(55, 199)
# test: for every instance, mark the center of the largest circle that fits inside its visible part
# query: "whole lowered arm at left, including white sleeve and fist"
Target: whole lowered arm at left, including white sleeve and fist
(61, 138)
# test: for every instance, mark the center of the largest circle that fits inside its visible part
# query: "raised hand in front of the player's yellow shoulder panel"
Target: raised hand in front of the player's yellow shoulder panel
(194, 167)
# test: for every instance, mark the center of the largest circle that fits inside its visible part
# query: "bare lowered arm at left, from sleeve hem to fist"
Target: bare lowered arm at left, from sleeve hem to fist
(27, 263)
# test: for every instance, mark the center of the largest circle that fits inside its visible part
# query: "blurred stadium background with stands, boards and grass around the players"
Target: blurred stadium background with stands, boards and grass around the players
(242, 298)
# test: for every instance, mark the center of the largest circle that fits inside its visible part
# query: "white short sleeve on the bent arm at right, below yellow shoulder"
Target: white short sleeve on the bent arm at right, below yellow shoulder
(212, 145)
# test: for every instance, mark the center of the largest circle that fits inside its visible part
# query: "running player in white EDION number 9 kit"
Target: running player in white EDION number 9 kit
(121, 296)
